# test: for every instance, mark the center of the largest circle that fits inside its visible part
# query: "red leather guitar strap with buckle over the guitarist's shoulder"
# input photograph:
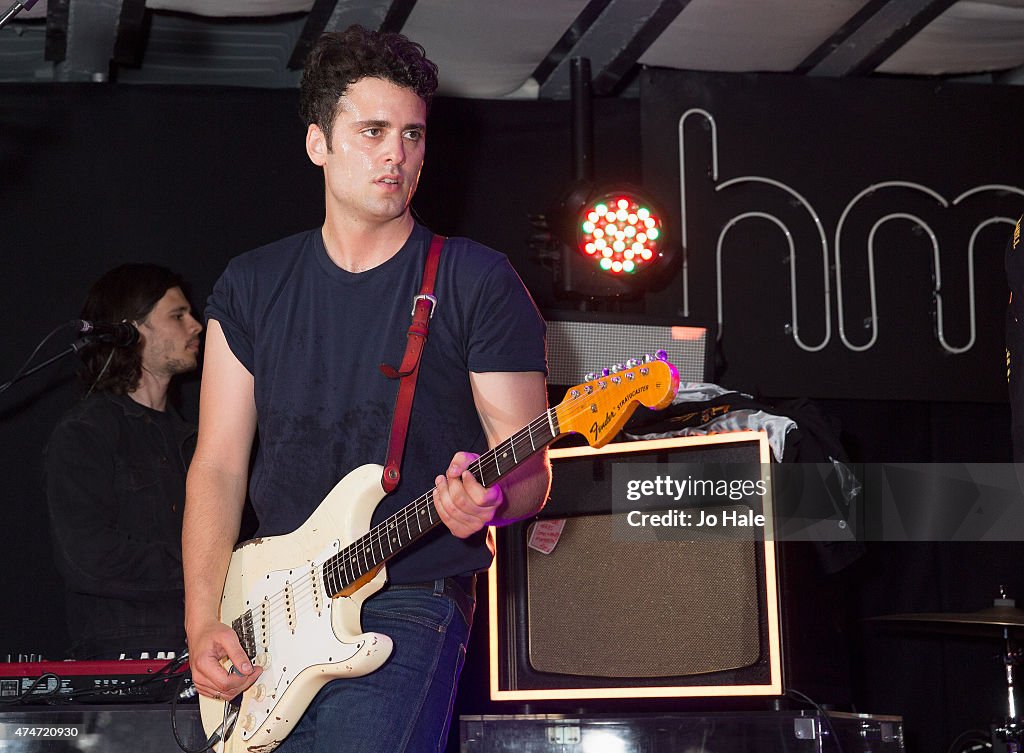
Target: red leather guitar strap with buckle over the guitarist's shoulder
(423, 310)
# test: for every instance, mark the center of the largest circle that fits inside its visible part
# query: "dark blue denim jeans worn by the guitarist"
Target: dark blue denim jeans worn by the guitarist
(407, 704)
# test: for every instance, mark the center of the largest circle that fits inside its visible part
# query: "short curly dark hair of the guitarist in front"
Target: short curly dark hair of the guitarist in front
(340, 59)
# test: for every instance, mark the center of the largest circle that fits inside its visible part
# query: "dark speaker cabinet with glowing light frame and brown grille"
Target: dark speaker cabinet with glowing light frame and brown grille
(580, 611)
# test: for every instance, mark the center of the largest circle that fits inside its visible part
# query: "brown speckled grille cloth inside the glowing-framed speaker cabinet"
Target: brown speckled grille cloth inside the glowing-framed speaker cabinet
(603, 607)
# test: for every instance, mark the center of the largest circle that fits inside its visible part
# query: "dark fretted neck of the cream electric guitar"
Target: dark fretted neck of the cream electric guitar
(418, 518)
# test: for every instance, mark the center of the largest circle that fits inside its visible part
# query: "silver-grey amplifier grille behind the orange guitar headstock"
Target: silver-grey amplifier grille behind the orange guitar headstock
(576, 349)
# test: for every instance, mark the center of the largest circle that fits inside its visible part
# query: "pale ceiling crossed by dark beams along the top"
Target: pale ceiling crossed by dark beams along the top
(522, 49)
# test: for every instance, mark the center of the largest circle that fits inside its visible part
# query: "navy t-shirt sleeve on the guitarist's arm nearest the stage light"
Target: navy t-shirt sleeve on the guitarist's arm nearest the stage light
(506, 330)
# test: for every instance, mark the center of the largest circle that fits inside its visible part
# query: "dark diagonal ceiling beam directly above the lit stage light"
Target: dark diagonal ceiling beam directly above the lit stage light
(616, 39)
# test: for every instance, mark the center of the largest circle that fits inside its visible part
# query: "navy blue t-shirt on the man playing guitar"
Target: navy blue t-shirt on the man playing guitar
(314, 336)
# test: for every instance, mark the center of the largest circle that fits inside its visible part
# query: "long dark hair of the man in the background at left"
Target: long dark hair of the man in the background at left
(126, 294)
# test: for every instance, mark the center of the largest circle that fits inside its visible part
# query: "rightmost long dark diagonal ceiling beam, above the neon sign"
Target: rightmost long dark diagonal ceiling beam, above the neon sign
(872, 36)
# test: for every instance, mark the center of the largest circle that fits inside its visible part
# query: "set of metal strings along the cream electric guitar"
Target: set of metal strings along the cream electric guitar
(303, 588)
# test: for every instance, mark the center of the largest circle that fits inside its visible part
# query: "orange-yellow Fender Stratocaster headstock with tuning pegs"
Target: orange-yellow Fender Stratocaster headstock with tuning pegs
(599, 408)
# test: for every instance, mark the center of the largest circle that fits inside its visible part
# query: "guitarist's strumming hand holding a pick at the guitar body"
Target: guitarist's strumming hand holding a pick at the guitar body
(220, 666)
